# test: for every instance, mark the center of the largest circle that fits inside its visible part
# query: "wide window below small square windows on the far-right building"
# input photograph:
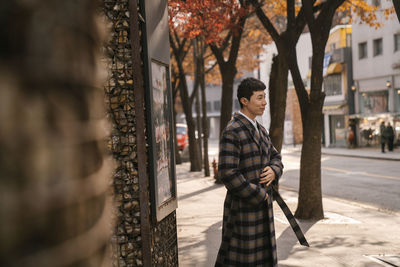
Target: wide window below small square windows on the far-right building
(375, 102)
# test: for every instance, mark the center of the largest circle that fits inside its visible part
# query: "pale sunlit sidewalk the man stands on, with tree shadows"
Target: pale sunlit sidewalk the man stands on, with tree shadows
(351, 234)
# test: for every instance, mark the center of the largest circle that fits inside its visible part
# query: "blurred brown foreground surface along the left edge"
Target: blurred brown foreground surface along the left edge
(54, 172)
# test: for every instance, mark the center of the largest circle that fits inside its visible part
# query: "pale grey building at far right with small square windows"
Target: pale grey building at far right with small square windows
(376, 68)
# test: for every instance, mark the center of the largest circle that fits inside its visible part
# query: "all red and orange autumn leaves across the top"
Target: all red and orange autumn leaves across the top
(212, 19)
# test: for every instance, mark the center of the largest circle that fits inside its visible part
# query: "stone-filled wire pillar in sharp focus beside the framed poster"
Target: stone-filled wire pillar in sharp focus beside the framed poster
(139, 239)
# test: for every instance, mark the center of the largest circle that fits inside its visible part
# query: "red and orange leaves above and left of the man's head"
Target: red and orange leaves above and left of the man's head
(212, 20)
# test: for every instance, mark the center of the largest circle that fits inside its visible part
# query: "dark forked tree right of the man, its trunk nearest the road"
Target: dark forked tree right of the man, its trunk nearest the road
(310, 199)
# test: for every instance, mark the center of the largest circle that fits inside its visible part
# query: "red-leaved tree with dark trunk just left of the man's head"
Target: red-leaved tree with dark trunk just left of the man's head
(211, 19)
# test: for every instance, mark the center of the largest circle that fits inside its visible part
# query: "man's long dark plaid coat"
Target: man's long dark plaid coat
(248, 232)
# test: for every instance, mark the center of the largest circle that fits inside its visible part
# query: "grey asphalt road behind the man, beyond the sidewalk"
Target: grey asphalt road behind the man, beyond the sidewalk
(366, 181)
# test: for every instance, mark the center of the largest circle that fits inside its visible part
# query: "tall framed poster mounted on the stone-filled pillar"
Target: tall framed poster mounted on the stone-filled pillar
(162, 162)
